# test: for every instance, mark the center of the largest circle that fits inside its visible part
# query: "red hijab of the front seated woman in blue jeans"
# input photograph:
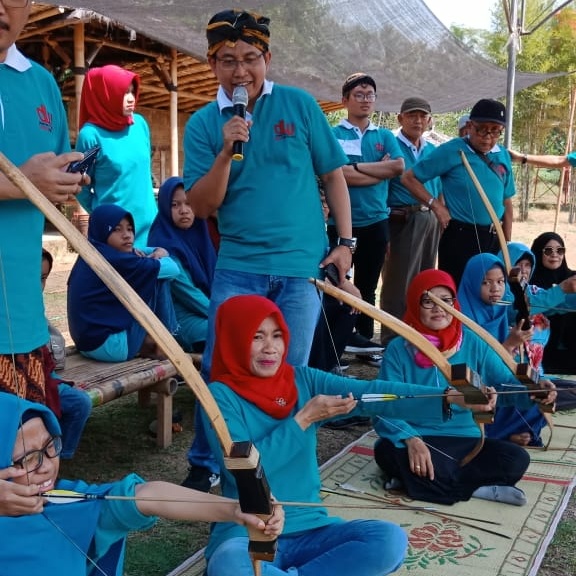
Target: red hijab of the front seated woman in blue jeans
(237, 321)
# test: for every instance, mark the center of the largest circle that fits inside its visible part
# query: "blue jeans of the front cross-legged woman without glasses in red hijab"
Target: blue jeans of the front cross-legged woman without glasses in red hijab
(359, 547)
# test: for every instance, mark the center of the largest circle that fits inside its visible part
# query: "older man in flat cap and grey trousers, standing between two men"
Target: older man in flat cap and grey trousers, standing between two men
(414, 230)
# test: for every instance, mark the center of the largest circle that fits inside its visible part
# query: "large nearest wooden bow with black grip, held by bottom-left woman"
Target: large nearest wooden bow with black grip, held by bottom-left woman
(241, 458)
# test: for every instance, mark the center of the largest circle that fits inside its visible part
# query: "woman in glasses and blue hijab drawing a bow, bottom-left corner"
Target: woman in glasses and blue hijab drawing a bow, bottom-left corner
(83, 536)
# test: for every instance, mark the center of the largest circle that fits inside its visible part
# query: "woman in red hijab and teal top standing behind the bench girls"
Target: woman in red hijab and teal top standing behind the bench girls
(122, 173)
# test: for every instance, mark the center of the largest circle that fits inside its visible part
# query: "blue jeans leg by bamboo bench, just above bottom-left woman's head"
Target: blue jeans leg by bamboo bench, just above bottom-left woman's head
(75, 406)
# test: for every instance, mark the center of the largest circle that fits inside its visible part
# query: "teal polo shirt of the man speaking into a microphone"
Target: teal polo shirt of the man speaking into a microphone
(271, 219)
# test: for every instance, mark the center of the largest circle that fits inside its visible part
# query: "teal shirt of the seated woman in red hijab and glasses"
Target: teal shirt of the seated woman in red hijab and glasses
(398, 364)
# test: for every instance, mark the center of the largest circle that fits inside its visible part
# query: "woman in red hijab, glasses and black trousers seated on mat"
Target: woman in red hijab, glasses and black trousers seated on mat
(426, 459)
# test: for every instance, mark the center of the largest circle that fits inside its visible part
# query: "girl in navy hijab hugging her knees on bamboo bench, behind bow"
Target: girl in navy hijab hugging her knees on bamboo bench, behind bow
(100, 326)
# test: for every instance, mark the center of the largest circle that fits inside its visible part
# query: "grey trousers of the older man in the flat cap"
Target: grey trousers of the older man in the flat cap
(413, 247)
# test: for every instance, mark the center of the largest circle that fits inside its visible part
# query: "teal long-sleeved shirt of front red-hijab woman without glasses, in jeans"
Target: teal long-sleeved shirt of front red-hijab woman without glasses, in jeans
(288, 453)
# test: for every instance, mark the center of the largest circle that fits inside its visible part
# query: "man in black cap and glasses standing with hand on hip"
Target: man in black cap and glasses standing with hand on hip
(468, 228)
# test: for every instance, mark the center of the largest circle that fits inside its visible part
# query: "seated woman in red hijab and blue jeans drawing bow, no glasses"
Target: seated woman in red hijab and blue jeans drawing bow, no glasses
(279, 408)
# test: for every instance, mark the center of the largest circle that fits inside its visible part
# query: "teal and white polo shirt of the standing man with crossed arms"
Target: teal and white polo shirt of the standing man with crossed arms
(369, 203)
